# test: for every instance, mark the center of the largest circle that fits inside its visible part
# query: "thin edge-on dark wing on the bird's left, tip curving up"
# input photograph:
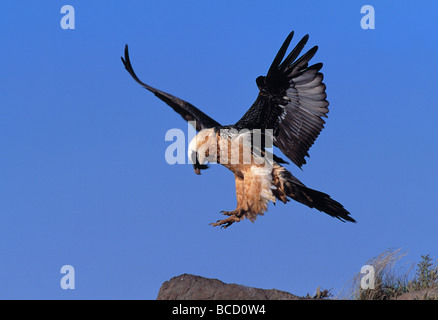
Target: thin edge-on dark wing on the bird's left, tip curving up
(185, 109)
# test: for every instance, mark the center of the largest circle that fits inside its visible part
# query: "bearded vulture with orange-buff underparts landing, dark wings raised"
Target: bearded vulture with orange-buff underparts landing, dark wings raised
(287, 113)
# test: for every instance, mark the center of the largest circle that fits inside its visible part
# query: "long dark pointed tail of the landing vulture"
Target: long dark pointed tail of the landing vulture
(288, 185)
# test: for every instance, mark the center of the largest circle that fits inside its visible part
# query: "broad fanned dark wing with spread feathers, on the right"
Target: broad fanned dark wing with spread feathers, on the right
(291, 102)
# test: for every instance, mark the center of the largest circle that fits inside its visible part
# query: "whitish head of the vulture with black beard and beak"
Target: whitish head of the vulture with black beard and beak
(203, 149)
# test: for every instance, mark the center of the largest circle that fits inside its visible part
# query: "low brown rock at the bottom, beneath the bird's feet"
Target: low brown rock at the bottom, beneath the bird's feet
(191, 287)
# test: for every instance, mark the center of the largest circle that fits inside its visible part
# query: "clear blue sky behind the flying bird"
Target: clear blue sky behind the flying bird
(84, 182)
